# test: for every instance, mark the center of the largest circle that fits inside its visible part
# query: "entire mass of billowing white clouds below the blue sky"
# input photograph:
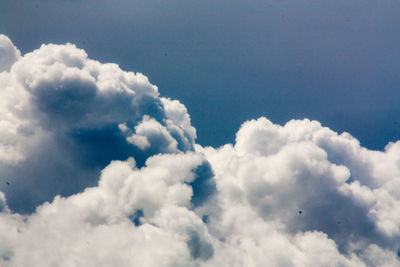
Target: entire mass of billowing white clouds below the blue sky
(99, 170)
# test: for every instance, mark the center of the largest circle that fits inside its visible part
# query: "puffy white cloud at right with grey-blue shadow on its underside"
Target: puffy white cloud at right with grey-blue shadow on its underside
(299, 176)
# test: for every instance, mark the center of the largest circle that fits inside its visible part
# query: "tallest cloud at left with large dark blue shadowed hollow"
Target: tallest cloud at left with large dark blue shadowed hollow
(60, 118)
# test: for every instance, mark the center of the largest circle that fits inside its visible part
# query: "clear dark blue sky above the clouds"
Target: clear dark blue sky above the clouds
(228, 61)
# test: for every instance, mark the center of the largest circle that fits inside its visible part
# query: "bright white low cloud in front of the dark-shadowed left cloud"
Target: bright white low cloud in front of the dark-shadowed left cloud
(95, 228)
